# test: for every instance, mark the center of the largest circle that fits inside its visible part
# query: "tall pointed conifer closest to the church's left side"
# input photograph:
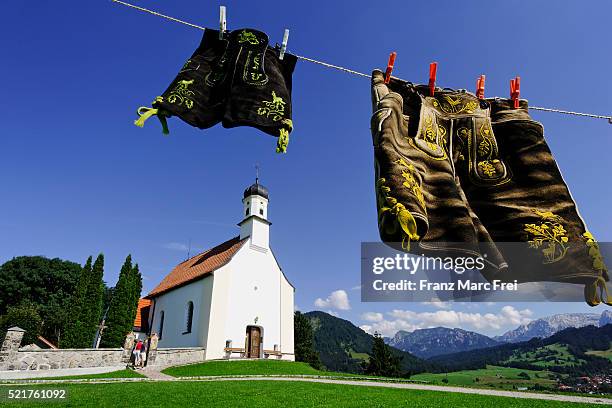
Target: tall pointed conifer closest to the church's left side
(123, 305)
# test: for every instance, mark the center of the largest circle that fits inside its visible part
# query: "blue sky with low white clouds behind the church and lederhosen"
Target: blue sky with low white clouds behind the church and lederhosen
(79, 178)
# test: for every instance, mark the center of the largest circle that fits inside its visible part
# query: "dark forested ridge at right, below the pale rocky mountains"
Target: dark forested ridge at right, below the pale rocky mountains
(569, 351)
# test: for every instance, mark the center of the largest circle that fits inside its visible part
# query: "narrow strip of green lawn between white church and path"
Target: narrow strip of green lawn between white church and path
(247, 367)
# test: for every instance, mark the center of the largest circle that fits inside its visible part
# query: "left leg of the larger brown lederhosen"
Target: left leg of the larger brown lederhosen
(419, 197)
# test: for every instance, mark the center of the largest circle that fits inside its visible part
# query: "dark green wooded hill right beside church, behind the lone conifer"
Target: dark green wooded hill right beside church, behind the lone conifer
(343, 346)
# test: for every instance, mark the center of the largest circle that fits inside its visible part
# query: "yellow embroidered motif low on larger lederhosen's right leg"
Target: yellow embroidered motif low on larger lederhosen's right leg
(549, 235)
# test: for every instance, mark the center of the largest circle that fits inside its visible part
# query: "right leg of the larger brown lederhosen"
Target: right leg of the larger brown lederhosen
(533, 205)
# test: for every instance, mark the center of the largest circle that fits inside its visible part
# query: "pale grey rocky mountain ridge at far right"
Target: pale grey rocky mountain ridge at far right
(547, 326)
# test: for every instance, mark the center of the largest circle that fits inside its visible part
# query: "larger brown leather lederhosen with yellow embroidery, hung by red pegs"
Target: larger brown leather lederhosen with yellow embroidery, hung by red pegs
(485, 176)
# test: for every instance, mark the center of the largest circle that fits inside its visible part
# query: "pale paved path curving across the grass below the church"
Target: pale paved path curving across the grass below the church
(156, 375)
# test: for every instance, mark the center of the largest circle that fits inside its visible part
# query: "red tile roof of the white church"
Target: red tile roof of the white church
(198, 266)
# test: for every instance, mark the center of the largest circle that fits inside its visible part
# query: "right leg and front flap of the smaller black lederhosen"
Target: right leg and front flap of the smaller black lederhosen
(260, 91)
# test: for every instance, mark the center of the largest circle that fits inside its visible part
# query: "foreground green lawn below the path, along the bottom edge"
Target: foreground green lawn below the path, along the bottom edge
(254, 394)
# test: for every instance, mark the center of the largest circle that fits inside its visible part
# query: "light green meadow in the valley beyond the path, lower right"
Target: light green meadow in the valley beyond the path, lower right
(491, 377)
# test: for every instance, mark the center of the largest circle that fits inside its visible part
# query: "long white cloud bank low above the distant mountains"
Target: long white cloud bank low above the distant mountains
(409, 320)
